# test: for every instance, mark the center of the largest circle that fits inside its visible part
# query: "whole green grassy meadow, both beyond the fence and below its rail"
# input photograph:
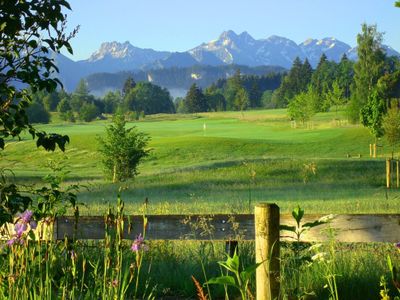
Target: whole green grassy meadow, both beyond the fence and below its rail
(210, 163)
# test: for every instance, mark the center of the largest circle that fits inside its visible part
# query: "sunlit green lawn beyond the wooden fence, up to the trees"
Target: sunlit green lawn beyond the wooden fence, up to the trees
(224, 163)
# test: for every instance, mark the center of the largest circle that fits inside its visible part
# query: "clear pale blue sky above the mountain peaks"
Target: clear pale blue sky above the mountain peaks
(179, 25)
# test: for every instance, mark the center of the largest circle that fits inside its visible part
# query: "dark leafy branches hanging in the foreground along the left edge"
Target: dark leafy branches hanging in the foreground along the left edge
(31, 32)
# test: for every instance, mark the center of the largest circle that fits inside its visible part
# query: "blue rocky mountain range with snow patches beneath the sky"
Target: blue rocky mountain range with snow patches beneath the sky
(229, 48)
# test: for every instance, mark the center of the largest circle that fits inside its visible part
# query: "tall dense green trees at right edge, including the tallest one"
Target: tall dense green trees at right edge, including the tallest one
(367, 88)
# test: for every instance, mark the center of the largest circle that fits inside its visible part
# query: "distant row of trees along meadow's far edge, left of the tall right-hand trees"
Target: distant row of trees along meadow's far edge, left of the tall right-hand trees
(144, 98)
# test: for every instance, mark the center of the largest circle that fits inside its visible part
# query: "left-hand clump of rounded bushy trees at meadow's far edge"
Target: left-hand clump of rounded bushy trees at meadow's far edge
(135, 99)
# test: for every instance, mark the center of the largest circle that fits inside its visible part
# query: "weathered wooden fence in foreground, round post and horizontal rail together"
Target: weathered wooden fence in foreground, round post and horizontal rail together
(263, 227)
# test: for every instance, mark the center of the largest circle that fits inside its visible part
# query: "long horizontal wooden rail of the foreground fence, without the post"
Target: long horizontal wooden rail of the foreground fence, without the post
(344, 228)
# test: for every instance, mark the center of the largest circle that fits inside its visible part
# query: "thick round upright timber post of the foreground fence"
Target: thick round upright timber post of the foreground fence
(267, 251)
